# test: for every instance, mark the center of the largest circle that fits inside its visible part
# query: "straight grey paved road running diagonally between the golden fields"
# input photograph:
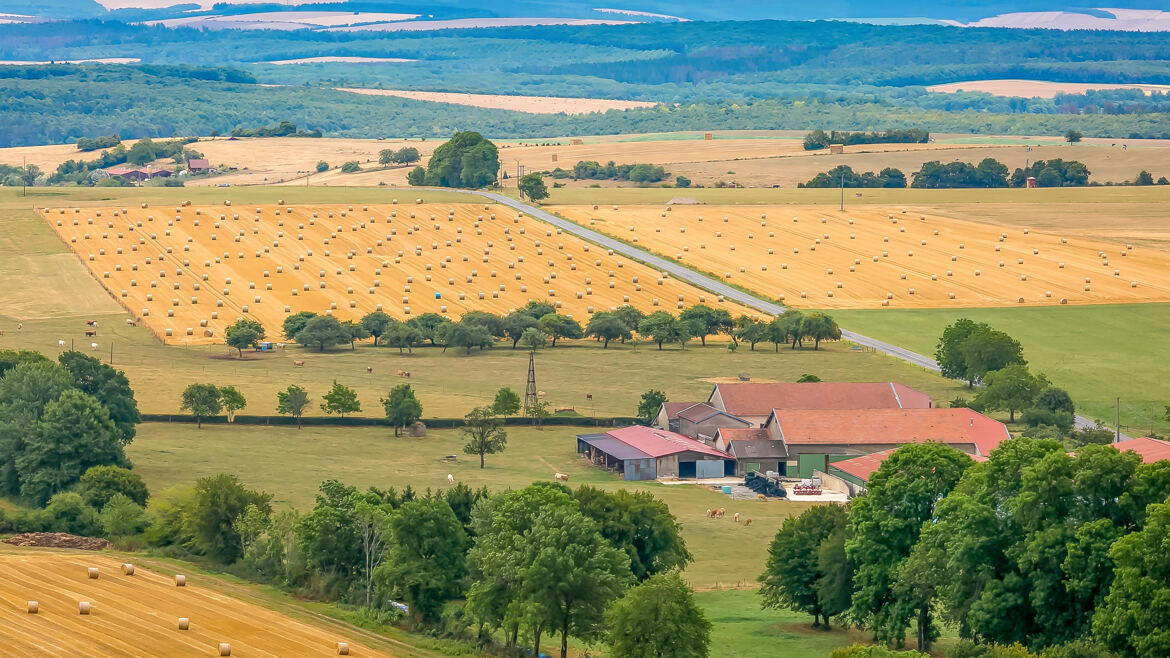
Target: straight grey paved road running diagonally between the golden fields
(710, 284)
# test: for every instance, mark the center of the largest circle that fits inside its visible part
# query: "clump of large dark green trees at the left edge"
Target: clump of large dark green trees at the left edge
(60, 419)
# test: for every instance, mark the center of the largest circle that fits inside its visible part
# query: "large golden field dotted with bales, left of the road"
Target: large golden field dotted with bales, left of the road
(191, 271)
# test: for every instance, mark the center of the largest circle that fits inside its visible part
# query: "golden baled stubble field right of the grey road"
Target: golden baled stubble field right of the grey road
(872, 257)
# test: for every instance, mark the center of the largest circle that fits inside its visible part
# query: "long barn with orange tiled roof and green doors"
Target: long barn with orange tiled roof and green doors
(817, 438)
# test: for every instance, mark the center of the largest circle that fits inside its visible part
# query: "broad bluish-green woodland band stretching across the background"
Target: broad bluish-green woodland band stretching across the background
(728, 76)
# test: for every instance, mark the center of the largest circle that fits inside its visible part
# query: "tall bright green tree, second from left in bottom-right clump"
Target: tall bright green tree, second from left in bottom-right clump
(885, 526)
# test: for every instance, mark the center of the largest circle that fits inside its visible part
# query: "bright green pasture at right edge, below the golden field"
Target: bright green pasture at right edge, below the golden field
(1098, 353)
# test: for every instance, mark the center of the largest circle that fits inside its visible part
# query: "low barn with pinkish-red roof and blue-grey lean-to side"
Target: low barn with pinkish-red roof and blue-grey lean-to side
(648, 454)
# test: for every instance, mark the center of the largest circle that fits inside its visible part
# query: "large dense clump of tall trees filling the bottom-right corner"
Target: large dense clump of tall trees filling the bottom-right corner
(1054, 551)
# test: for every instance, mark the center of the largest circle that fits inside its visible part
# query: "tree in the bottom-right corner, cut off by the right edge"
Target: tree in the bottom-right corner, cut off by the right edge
(1131, 622)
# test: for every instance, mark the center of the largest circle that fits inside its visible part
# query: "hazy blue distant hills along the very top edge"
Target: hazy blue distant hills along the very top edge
(958, 11)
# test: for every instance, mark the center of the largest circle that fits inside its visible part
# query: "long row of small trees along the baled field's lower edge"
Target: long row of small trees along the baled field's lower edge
(539, 324)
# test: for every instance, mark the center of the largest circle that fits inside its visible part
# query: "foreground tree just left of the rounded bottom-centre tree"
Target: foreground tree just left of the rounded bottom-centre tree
(569, 574)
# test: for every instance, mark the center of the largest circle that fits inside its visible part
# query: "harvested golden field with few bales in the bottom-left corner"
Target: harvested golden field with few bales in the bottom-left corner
(139, 615)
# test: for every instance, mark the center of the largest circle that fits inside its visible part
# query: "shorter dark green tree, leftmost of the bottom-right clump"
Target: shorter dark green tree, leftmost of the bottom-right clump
(794, 574)
